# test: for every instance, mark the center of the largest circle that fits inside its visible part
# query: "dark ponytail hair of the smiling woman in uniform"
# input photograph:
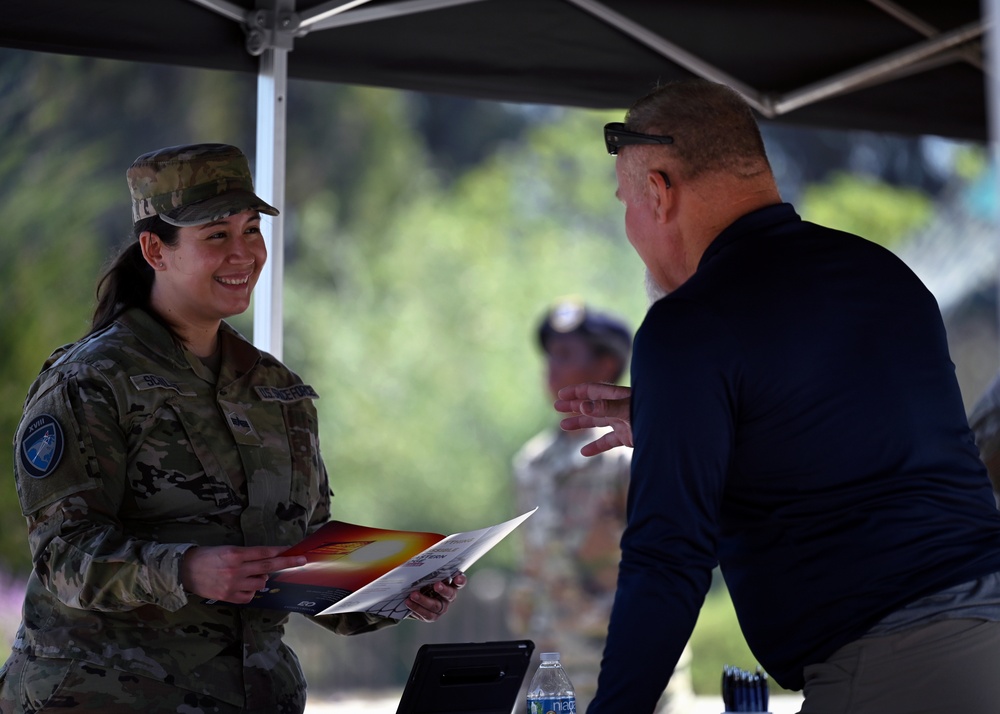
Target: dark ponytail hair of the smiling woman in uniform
(128, 281)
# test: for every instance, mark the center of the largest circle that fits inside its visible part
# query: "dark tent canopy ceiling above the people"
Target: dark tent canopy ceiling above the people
(906, 66)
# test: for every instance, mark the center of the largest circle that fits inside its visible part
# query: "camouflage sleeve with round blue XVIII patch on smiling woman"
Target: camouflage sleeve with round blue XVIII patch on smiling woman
(70, 467)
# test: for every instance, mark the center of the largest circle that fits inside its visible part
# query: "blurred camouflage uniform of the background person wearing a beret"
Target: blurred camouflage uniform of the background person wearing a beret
(563, 594)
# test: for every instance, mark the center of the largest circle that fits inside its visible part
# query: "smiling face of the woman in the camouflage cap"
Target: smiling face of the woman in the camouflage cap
(210, 273)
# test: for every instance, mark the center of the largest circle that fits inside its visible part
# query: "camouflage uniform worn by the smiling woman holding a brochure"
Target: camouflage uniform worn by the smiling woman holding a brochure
(130, 452)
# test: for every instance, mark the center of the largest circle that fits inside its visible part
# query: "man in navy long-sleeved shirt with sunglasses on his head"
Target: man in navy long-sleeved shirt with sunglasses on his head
(796, 420)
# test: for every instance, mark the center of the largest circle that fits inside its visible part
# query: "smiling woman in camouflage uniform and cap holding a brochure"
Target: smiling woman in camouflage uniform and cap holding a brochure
(162, 462)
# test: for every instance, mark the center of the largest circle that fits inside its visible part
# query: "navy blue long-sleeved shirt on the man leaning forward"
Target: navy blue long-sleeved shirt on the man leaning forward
(796, 420)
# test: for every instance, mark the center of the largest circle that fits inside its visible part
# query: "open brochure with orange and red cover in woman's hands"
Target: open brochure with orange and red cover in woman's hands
(355, 568)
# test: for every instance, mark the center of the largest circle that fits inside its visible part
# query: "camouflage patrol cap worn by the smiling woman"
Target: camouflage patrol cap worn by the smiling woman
(193, 184)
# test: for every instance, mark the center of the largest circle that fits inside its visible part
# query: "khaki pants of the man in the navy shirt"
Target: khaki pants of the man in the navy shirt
(947, 667)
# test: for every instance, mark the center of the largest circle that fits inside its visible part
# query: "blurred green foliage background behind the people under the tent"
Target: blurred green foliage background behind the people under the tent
(425, 237)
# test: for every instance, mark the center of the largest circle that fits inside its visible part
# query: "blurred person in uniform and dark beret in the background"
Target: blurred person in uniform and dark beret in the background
(562, 596)
